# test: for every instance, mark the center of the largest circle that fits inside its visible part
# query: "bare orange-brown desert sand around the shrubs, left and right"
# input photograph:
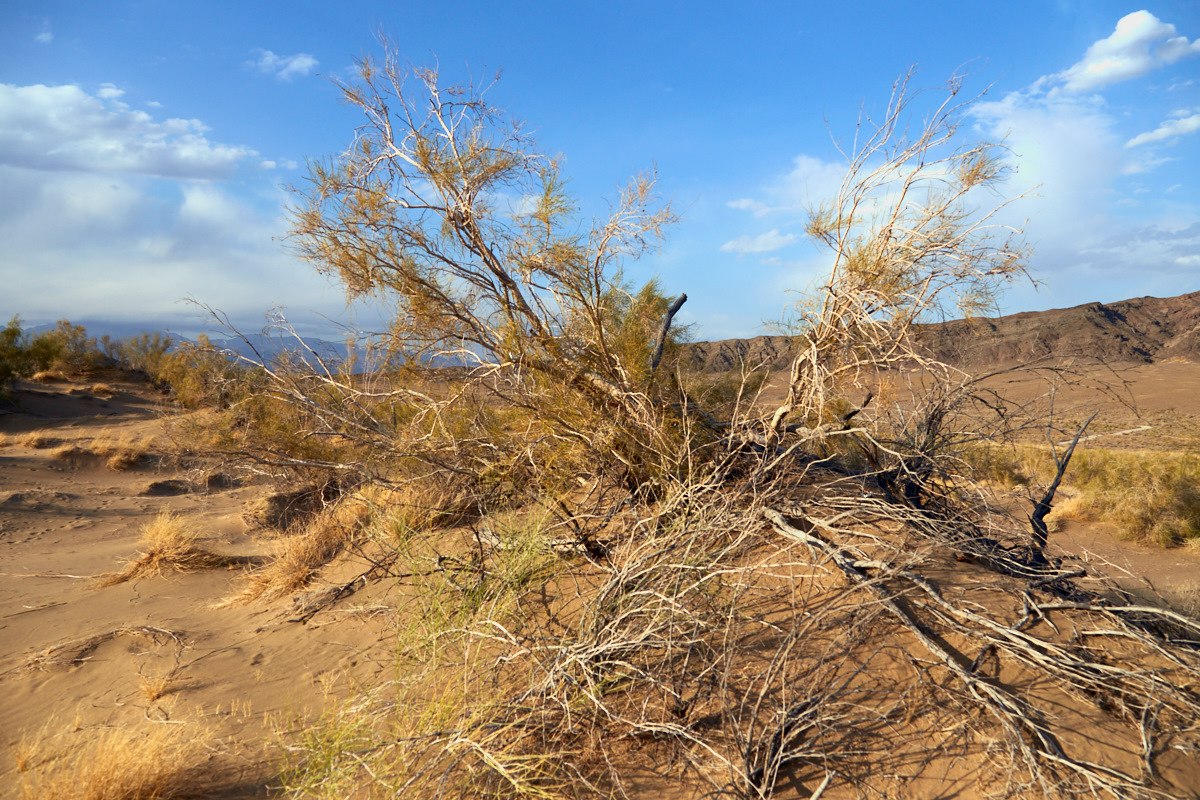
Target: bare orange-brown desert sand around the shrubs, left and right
(82, 654)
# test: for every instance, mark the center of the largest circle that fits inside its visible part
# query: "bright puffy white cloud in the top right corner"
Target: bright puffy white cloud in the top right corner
(1141, 44)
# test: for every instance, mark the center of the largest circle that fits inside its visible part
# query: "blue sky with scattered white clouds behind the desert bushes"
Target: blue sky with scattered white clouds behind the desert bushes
(145, 147)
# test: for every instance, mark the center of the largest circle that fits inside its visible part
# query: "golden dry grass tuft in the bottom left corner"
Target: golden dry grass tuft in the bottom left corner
(113, 765)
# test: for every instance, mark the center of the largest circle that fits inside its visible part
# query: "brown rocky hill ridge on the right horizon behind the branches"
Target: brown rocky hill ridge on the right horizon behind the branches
(1142, 330)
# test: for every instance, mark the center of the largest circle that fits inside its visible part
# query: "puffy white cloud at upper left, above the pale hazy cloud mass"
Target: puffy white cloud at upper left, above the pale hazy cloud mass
(65, 129)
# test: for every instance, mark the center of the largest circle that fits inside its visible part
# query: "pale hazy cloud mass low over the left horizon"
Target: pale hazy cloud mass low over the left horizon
(129, 248)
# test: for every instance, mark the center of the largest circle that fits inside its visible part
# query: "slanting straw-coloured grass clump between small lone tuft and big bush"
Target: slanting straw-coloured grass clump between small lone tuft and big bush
(299, 556)
